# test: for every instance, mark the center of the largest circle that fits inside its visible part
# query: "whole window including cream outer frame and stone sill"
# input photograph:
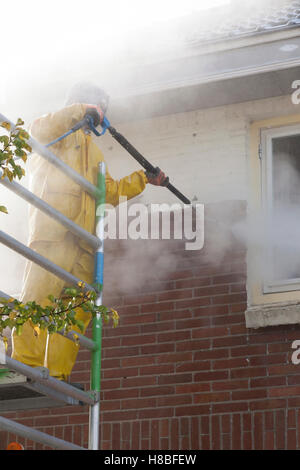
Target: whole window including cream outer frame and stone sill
(273, 261)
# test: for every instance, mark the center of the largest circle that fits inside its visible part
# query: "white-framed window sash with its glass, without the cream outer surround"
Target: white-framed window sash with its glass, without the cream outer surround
(280, 154)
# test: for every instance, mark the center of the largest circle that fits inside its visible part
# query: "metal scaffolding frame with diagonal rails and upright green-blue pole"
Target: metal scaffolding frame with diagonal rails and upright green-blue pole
(40, 376)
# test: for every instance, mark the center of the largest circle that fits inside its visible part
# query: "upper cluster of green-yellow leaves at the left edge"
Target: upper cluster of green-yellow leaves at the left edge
(13, 144)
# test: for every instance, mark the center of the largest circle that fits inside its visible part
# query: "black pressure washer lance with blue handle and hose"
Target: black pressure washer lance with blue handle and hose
(92, 120)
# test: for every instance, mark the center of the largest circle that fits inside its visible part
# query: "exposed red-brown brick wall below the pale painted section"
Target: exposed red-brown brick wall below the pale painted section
(182, 371)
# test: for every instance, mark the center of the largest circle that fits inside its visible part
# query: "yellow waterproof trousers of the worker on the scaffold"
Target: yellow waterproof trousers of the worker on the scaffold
(54, 351)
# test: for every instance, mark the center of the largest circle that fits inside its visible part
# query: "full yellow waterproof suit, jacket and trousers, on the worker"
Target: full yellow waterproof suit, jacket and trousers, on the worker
(54, 241)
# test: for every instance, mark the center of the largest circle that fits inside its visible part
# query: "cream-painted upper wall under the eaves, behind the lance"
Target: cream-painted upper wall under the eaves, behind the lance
(204, 152)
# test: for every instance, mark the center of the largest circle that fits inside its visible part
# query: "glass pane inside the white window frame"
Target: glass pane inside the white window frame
(285, 211)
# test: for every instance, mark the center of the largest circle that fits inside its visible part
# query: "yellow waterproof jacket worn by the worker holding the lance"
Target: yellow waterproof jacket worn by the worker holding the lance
(79, 152)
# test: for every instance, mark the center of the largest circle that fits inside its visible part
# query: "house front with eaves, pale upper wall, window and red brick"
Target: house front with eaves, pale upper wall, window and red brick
(205, 355)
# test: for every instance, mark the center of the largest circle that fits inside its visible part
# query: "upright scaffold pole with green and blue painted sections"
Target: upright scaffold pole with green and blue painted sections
(97, 320)
